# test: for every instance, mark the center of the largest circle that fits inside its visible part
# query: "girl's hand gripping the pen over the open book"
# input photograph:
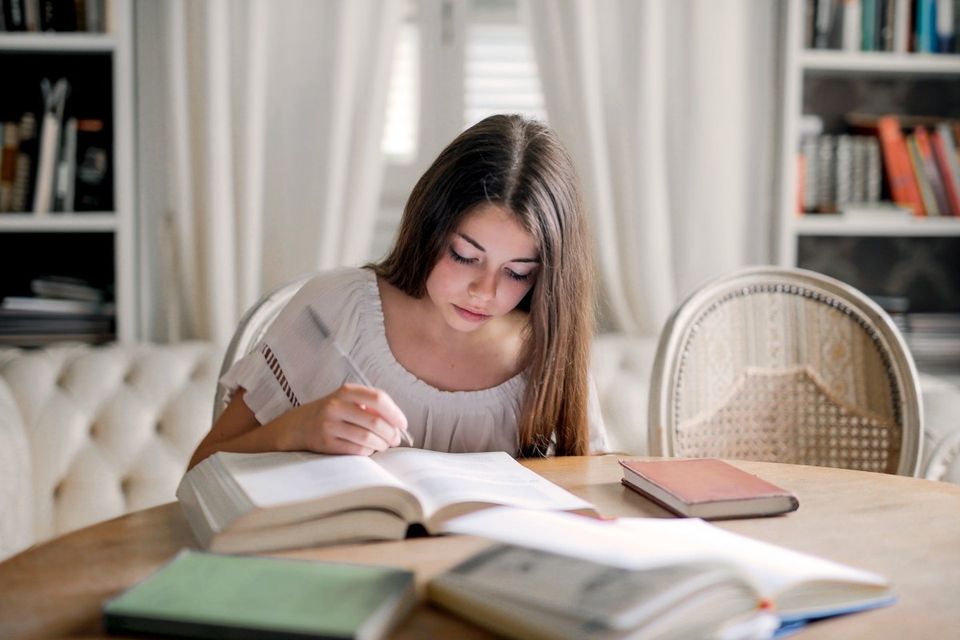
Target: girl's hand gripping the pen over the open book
(354, 420)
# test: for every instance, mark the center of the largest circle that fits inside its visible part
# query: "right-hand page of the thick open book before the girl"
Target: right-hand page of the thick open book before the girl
(442, 480)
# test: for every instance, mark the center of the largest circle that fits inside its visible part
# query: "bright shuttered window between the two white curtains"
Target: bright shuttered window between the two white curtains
(455, 62)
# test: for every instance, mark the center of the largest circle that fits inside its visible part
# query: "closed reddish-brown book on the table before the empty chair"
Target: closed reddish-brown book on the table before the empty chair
(706, 488)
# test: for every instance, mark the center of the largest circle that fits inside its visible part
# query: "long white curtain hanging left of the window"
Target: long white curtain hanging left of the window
(263, 160)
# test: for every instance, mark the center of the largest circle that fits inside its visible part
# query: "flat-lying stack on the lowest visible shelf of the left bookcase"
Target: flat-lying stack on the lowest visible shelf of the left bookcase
(60, 309)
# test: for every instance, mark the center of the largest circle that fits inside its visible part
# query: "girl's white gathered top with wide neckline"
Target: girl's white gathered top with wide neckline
(293, 365)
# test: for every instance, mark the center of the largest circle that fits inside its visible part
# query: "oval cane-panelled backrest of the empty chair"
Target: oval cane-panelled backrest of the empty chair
(785, 365)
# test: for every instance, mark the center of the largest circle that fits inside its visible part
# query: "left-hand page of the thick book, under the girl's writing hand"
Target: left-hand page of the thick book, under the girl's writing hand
(272, 479)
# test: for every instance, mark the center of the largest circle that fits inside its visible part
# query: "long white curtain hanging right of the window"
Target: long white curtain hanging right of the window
(667, 107)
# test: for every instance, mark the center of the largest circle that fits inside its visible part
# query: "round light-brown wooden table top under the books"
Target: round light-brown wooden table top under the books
(903, 528)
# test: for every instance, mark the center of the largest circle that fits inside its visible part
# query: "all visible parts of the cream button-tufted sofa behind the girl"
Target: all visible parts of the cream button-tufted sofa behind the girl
(91, 433)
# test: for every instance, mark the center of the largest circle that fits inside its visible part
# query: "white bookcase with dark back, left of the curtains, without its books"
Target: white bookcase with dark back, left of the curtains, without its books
(93, 238)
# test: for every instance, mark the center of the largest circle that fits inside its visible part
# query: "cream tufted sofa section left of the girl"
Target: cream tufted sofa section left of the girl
(91, 433)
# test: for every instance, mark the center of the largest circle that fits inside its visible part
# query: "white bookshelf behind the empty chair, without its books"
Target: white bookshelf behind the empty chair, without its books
(899, 257)
